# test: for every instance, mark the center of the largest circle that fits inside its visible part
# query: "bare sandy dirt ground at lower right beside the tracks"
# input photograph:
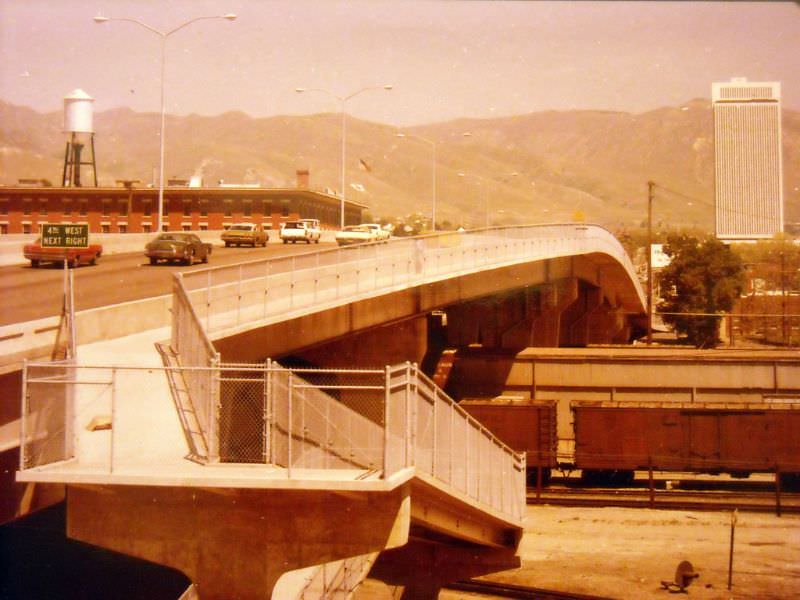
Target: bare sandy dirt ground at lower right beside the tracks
(626, 553)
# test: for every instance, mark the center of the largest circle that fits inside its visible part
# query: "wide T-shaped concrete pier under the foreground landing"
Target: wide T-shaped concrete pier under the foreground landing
(236, 543)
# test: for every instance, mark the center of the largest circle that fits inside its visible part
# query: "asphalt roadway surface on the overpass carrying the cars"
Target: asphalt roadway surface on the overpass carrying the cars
(27, 294)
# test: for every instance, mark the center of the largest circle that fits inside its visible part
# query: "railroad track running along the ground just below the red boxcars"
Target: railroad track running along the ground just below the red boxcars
(751, 501)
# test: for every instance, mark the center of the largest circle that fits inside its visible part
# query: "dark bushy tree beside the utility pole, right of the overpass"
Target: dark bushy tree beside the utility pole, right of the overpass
(704, 277)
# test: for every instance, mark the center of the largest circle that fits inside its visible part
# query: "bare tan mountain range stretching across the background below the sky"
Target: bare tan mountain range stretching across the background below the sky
(540, 167)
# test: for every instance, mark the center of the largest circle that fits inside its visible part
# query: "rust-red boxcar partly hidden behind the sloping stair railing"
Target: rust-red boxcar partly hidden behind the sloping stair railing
(525, 425)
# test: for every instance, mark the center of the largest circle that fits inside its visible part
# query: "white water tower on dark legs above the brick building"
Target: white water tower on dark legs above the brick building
(78, 113)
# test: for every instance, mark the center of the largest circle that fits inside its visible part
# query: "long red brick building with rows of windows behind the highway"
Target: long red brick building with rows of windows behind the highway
(135, 210)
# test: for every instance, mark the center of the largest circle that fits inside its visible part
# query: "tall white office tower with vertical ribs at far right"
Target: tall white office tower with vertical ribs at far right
(747, 149)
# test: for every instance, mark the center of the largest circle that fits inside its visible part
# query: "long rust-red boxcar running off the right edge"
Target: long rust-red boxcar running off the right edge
(612, 439)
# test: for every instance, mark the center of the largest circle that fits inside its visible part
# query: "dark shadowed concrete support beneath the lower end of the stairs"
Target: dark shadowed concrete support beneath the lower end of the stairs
(421, 568)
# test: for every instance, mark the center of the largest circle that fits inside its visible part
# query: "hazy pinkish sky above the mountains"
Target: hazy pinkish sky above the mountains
(445, 59)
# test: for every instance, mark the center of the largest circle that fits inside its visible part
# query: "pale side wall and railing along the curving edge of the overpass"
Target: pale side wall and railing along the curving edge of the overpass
(238, 295)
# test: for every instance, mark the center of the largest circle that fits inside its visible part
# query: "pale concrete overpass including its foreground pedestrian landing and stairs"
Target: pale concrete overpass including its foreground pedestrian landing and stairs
(189, 442)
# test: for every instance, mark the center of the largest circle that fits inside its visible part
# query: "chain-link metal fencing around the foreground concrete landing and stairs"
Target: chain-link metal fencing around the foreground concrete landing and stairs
(371, 423)
